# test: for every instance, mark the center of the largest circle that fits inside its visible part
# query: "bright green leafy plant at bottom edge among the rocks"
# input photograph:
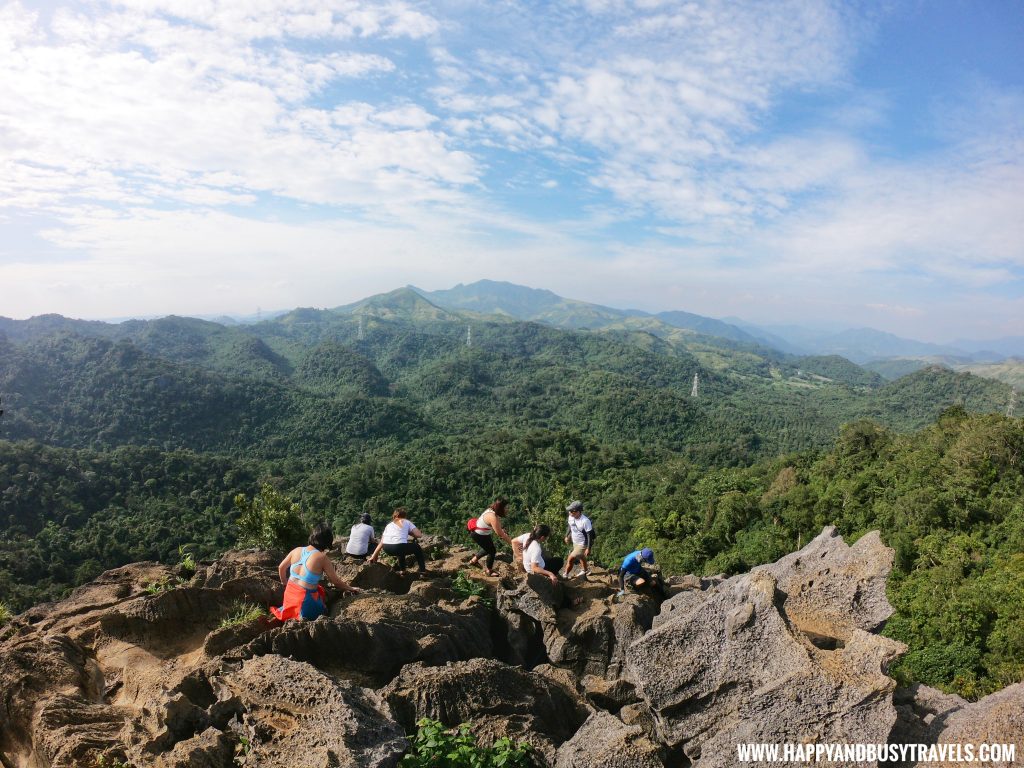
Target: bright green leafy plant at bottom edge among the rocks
(438, 747)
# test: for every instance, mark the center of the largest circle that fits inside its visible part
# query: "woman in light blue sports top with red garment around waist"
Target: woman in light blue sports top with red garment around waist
(302, 572)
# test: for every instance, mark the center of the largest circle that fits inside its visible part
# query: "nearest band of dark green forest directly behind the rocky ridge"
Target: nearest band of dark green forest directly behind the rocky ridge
(950, 499)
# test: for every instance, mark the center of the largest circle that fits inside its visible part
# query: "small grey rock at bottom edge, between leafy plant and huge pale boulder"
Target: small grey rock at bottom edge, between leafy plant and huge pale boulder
(605, 741)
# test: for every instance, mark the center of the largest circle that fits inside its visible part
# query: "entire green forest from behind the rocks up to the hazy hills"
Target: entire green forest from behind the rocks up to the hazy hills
(130, 443)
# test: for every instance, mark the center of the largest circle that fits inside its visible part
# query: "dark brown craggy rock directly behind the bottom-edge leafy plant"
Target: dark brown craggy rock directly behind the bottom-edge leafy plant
(501, 701)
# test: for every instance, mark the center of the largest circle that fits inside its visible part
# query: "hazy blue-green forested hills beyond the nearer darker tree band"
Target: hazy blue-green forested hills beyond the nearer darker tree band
(307, 382)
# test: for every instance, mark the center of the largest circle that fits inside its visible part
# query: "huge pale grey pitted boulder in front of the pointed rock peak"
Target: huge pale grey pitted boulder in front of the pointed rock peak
(735, 670)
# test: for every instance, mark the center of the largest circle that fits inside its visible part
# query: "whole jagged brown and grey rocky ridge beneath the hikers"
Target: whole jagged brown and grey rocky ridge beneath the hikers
(138, 669)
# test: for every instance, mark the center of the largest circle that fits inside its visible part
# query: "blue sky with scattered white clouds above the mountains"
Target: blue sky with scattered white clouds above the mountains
(848, 164)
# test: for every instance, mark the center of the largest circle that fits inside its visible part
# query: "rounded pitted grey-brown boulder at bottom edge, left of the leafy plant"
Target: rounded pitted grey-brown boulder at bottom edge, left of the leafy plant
(295, 712)
